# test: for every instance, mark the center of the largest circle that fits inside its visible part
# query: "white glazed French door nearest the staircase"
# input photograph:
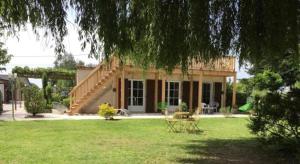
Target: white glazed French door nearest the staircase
(136, 95)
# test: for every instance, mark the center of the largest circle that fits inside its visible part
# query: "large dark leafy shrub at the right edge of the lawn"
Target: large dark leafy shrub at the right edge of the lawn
(277, 112)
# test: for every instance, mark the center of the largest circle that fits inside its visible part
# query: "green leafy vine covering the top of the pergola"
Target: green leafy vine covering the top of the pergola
(52, 73)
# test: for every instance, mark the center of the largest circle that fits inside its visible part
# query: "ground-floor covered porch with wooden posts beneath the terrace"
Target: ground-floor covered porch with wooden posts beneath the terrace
(141, 92)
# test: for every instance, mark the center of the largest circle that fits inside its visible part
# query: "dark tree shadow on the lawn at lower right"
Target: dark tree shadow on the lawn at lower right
(231, 151)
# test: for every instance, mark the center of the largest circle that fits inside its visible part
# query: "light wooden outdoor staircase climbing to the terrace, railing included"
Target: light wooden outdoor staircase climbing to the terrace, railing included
(85, 91)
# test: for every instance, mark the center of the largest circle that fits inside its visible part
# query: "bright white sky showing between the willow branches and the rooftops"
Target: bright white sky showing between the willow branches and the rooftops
(32, 51)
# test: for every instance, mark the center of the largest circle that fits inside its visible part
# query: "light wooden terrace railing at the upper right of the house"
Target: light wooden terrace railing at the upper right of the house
(221, 64)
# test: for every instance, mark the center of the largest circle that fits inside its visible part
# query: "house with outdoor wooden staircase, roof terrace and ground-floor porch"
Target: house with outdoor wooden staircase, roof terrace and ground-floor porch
(129, 87)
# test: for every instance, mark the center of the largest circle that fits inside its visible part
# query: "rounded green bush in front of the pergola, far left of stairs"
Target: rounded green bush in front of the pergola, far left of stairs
(34, 100)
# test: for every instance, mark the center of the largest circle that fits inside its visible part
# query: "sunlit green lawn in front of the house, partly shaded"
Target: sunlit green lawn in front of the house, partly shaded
(223, 140)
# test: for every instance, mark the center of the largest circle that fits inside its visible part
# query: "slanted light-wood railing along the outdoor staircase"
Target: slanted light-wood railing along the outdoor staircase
(93, 79)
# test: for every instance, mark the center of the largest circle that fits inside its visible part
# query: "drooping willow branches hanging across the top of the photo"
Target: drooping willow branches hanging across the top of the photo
(169, 32)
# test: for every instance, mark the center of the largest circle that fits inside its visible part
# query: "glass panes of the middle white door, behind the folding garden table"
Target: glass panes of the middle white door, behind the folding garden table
(172, 93)
